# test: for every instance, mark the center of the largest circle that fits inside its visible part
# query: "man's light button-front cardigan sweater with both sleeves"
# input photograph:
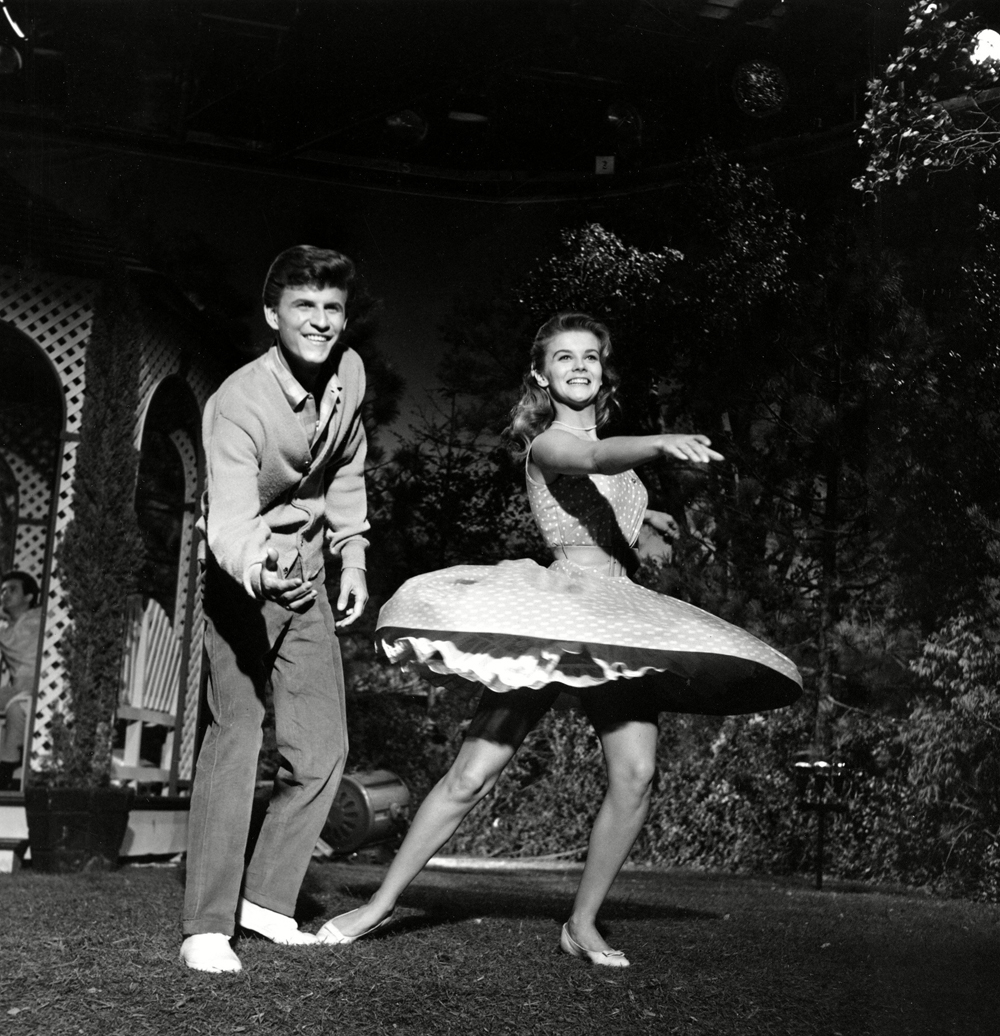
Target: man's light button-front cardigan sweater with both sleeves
(265, 486)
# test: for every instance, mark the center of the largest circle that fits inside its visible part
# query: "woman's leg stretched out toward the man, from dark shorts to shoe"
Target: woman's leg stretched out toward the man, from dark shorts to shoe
(501, 725)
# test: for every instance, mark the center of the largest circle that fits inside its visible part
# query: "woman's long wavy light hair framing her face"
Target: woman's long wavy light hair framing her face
(534, 412)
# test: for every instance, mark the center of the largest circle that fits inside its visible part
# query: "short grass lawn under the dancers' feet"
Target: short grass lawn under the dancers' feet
(478, 954)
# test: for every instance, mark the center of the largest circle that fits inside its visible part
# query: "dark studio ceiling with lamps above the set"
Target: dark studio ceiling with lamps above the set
(499, 100)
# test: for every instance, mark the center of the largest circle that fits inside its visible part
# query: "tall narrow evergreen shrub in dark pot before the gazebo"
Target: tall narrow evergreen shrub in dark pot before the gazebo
(77, 819)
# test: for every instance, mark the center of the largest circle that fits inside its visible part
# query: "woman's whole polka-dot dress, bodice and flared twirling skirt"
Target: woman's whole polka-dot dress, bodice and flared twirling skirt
(520, 625)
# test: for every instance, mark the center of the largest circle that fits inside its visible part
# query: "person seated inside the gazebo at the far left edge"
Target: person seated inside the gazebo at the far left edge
(19, 649)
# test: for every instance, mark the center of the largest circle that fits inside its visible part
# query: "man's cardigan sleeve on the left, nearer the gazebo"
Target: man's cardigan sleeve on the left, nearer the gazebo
(237, 533)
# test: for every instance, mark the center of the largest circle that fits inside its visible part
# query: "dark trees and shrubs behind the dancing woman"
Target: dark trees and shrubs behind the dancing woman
(854, 526)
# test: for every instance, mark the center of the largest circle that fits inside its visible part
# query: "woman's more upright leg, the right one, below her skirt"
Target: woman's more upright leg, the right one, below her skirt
(631, 757)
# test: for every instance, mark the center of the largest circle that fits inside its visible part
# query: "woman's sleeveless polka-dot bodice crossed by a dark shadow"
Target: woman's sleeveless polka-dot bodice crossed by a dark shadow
(589, 510)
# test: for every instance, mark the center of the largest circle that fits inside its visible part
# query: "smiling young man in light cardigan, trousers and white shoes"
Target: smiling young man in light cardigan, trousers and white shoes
(285, 452)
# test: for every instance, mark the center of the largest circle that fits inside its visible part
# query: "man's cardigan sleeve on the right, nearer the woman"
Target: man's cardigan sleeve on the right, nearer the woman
(347, 502)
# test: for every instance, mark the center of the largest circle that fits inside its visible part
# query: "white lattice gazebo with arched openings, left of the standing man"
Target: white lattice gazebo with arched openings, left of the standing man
(51, 270)
